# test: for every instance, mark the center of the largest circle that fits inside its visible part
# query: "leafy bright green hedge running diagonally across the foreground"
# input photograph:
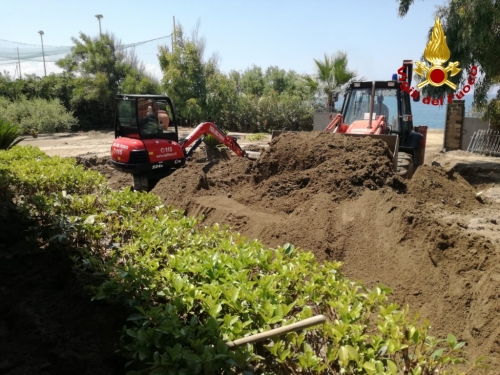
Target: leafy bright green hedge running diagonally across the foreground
(191, 290)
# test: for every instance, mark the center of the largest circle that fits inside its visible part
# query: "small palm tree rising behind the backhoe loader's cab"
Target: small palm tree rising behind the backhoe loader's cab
(331, 74)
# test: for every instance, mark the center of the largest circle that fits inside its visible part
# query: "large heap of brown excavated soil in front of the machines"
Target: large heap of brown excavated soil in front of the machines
(338, 197)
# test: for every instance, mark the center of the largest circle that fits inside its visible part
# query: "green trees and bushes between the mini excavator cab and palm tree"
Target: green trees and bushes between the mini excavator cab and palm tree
(237, 101)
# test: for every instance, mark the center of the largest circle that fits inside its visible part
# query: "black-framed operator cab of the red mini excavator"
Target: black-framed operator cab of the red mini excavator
(145, 117)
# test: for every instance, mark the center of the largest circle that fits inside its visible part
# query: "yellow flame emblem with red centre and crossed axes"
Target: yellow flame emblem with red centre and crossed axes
(437, 53)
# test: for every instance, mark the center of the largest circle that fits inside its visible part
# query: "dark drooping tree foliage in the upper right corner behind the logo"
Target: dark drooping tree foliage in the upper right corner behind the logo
(471, 28)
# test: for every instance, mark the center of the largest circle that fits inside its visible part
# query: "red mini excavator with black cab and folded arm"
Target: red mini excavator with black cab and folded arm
(147, 143)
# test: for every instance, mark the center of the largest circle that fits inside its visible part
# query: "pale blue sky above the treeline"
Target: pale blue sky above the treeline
(288, 34)
